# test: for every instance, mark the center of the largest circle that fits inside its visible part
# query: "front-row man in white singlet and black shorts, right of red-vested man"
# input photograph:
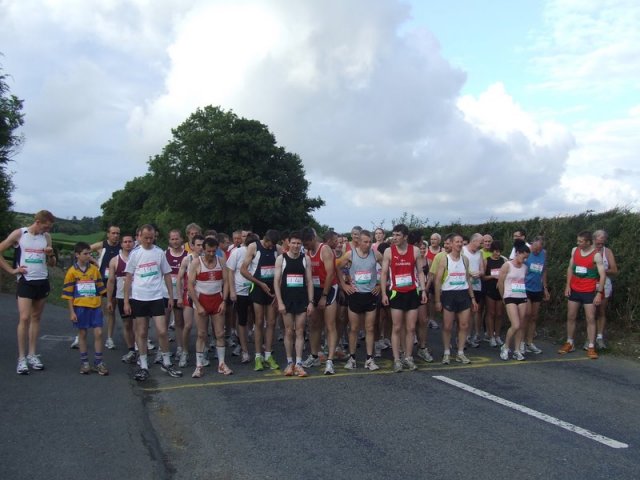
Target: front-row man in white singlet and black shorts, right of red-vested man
(454, 297)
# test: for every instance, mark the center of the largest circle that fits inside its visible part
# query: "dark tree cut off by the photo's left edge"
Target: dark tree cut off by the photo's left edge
(11, 118)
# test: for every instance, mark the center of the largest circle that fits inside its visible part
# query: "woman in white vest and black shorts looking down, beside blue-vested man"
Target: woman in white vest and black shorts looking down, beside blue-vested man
(511, 285)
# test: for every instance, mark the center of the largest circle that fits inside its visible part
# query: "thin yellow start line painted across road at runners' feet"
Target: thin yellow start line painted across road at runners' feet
(478, 362)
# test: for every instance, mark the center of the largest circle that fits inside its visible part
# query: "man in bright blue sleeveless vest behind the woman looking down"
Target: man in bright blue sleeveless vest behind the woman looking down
(536, 285)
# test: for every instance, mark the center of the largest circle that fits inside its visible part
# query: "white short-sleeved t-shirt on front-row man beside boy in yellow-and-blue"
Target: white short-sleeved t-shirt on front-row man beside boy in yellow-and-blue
(148, 268)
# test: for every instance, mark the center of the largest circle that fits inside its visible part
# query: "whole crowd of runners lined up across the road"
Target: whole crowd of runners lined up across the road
(315, 286)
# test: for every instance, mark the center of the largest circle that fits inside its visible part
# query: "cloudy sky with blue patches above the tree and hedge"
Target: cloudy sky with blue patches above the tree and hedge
(451, 111)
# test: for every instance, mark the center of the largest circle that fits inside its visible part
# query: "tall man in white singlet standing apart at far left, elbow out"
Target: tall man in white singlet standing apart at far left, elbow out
(33, 254)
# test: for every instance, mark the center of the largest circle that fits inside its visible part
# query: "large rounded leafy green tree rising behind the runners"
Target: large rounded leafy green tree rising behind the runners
(221, 171)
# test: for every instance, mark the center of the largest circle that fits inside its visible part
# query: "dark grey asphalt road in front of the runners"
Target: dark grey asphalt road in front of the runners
(359, 425)
